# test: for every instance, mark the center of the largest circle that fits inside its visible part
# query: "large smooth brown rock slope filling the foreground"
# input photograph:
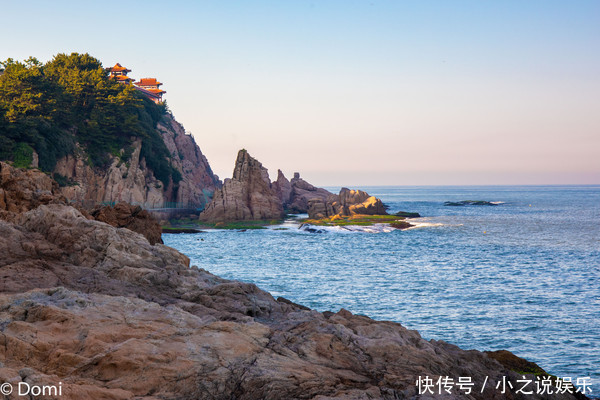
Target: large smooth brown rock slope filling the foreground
(112, 317)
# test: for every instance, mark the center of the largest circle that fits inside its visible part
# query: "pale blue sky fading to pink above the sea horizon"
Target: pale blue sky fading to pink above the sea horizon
(355, 92)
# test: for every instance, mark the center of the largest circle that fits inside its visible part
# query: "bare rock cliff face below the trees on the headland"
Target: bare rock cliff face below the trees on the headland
(133, 182)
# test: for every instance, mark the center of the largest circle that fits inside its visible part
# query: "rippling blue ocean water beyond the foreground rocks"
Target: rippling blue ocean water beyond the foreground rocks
(523, 275)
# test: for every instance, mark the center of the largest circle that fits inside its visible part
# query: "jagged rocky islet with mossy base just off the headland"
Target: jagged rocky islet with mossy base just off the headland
(250, 196)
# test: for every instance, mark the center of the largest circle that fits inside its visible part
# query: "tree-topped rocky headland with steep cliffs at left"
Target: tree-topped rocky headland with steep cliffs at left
(104, 142)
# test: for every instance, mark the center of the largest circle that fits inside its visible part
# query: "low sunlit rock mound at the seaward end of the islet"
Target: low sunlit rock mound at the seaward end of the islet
(347, 203)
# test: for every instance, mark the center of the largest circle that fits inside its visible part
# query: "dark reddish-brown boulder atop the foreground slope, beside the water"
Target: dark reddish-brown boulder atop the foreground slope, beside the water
(124, 215)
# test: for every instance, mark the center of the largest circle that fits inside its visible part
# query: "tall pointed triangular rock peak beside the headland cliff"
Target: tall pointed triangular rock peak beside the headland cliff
(248, 195)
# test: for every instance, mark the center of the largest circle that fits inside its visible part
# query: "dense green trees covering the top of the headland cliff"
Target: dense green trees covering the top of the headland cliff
(51, 107)
